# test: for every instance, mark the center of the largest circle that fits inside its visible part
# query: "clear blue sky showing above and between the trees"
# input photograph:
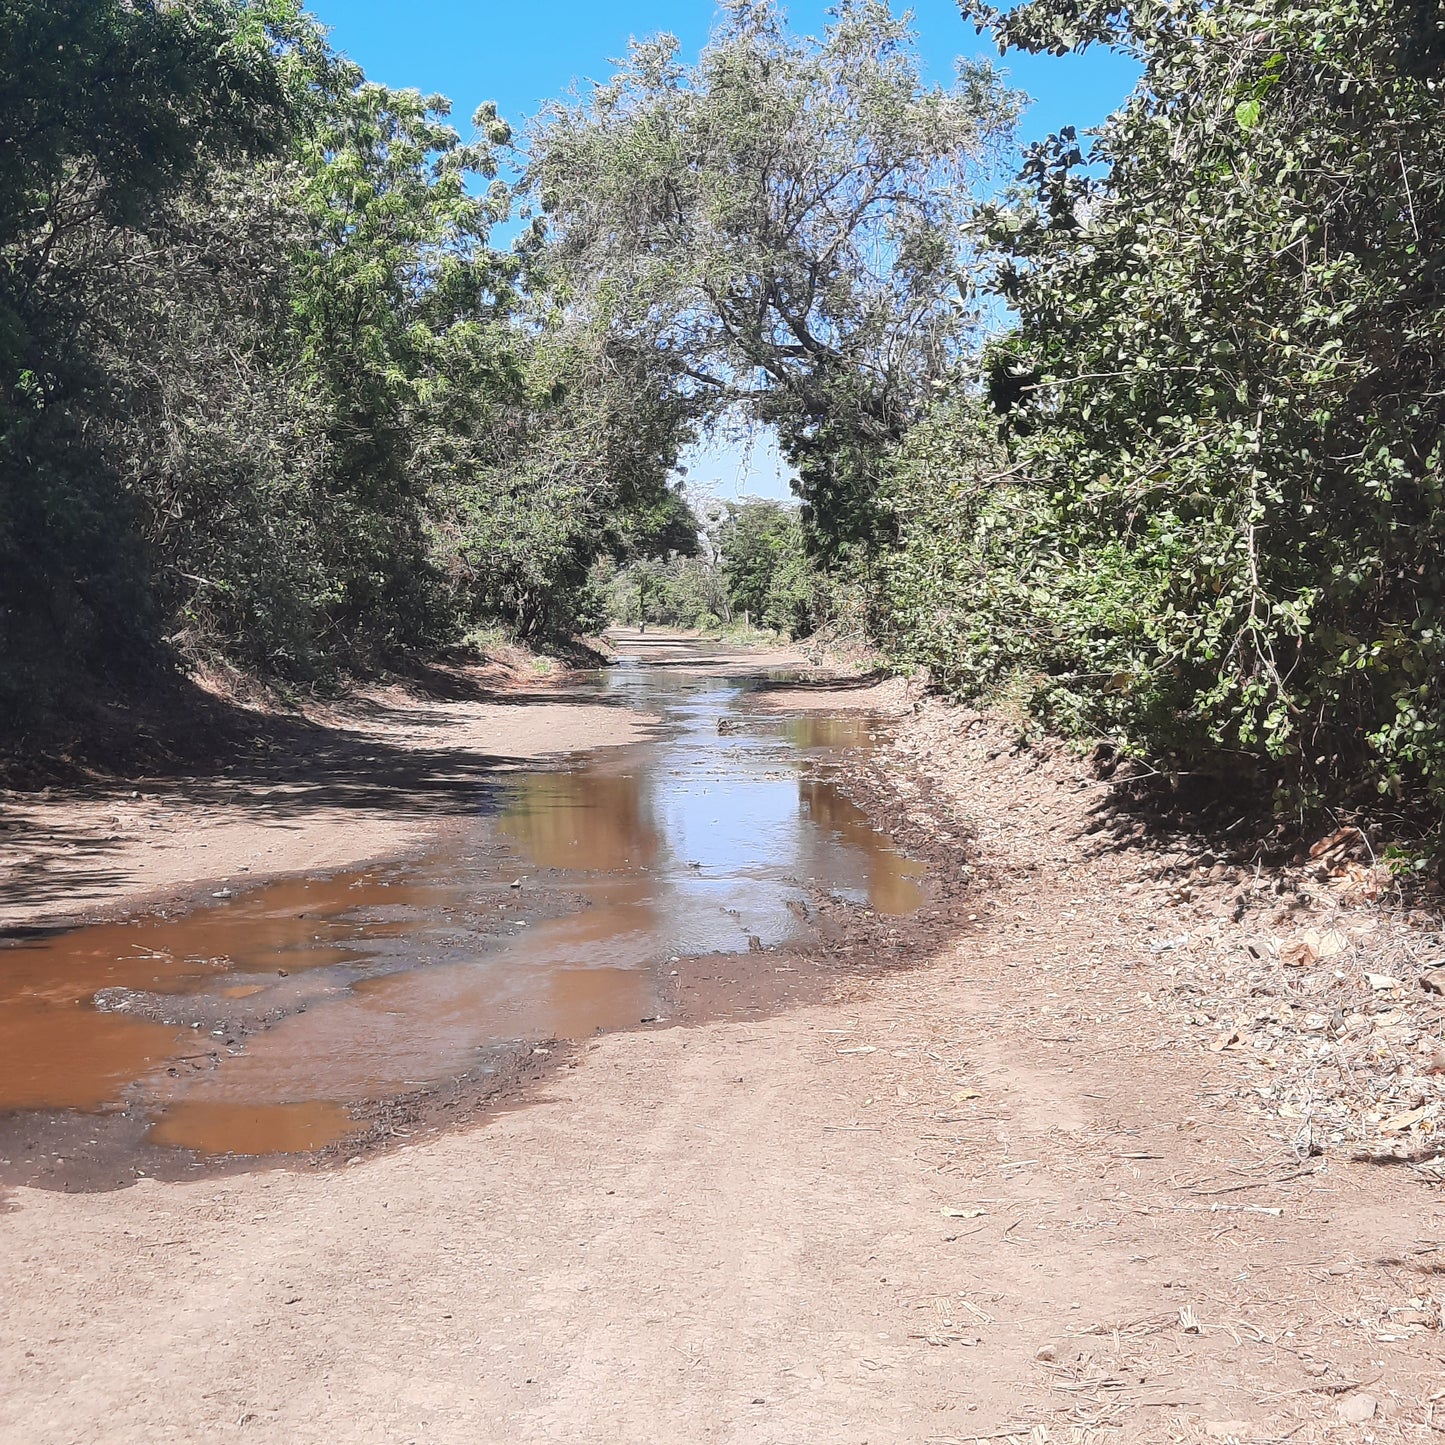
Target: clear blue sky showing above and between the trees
(522, 56)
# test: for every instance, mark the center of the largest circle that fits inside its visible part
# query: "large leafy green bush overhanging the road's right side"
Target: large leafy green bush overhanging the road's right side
(1222, 534)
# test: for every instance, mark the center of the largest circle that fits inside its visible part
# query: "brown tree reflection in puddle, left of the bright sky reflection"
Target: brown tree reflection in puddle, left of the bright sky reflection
(583, 820)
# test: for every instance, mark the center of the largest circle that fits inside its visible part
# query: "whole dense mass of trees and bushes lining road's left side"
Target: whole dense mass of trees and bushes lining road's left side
(267, 392)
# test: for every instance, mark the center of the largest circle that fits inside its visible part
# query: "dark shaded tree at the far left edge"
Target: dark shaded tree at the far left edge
(109, 112)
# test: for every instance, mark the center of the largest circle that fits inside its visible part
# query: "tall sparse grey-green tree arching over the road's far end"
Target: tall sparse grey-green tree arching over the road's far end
(784, 226)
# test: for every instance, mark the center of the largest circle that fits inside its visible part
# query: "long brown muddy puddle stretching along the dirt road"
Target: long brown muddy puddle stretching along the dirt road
(259, 1024)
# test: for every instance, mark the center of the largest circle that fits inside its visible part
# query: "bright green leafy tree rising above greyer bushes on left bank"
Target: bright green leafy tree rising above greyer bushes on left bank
(401, 313)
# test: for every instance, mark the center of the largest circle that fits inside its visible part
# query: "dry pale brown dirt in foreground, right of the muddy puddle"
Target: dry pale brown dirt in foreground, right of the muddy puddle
(1009, 1193)
